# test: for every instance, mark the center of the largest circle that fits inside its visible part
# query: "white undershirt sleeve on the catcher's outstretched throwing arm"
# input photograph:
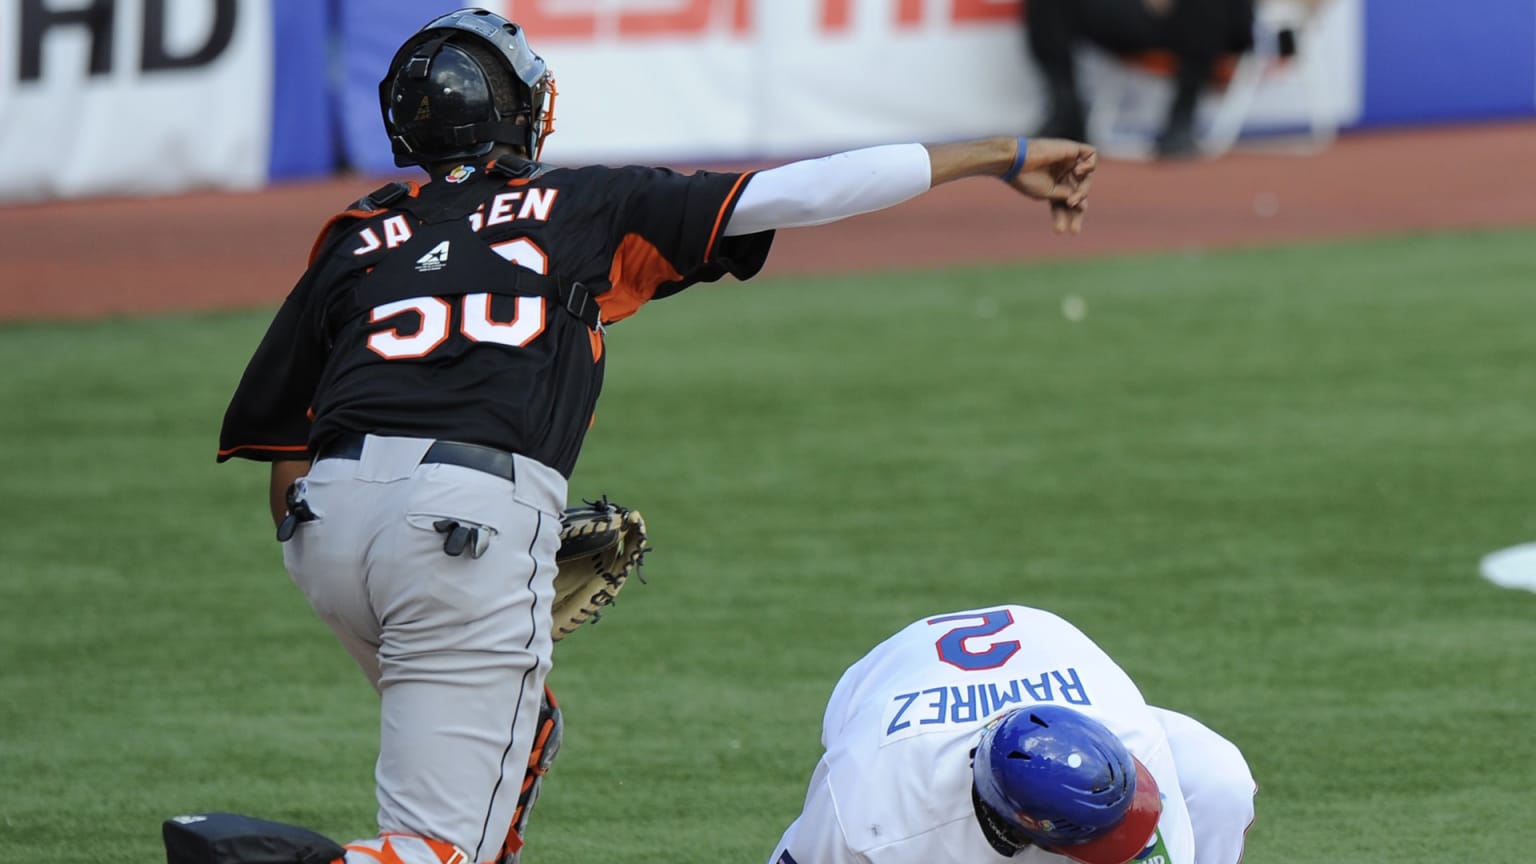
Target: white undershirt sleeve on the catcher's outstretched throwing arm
(818, 191)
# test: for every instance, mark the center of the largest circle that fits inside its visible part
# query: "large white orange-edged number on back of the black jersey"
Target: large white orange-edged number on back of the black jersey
(526, 325)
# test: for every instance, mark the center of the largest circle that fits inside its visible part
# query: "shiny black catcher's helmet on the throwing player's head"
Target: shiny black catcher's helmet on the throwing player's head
(462, 85)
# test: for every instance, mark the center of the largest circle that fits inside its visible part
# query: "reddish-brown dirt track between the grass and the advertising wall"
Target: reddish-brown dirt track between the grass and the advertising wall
(214, 251)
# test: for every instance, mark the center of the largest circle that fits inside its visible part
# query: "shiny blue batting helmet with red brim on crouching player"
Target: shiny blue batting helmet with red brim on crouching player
(1068, 785)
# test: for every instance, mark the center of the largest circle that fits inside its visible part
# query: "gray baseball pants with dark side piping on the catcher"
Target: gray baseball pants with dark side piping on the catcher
(457, 646)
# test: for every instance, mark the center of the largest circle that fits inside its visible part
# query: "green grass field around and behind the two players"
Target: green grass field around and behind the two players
(1262, 480)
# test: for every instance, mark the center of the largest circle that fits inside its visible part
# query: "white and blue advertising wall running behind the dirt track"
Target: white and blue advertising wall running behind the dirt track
(111, 98)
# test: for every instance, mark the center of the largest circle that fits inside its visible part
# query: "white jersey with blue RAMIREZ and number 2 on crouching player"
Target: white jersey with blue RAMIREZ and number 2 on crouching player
(895, 782)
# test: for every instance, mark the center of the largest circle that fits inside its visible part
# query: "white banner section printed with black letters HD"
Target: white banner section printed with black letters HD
(133, 96)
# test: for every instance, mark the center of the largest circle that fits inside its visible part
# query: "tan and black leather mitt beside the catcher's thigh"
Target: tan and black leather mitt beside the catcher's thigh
(603, 545)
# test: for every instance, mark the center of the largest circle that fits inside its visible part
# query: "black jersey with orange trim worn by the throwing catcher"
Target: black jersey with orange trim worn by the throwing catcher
(445, 314)
